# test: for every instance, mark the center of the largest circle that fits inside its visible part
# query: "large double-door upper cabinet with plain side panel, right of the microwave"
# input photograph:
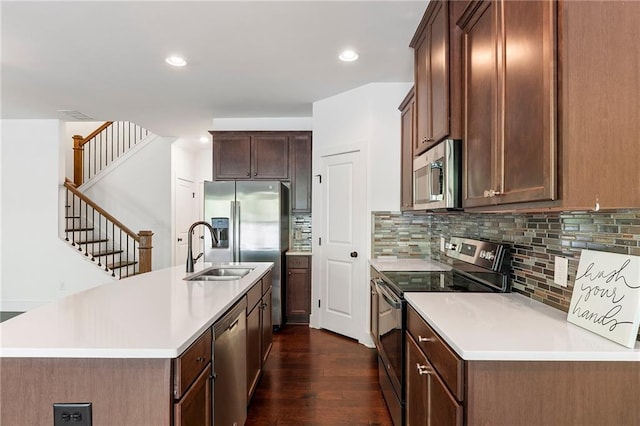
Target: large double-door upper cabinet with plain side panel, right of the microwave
(550, 105)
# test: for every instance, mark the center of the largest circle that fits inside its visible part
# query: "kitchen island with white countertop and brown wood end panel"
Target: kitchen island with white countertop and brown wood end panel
(126, 347)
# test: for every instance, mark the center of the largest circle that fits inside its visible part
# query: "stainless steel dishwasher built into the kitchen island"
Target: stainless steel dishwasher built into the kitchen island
(230, 367)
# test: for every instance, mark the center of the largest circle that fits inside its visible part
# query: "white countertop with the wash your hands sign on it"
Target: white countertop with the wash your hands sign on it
(512, 327)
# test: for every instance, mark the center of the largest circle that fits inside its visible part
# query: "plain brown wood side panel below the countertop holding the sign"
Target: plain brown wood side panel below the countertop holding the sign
(552, 393)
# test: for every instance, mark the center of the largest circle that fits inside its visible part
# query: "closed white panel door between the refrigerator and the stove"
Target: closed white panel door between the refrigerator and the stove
(342, 247)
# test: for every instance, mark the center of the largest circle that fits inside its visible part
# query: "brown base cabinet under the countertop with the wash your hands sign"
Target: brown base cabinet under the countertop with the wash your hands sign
(442, 389)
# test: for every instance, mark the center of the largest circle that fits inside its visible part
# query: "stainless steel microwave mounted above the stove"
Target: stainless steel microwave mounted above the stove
(437, 177)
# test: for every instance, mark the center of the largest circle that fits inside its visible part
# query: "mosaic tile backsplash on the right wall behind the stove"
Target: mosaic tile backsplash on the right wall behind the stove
(534, 238)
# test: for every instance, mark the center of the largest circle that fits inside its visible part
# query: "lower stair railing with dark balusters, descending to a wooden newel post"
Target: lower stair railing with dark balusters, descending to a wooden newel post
(103, 238)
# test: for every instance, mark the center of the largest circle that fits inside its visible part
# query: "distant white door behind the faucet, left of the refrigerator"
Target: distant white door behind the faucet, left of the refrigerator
(185, 215)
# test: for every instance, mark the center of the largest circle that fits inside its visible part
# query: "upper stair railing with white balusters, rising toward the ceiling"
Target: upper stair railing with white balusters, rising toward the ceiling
(107, 143)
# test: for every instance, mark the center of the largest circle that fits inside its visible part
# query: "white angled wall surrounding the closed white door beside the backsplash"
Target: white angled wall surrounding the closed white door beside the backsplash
(367, 117)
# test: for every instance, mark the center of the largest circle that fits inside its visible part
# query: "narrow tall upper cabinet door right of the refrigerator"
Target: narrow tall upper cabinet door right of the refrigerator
(300, 173)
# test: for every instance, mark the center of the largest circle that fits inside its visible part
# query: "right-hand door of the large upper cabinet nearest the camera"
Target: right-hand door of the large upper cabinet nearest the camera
(529, 133)
